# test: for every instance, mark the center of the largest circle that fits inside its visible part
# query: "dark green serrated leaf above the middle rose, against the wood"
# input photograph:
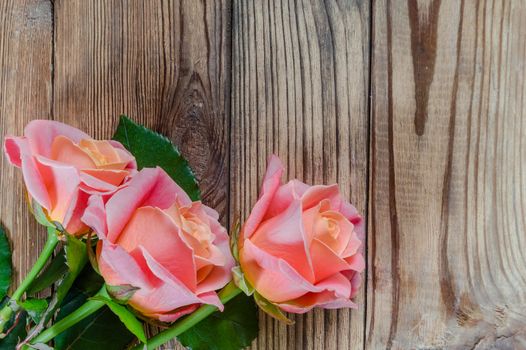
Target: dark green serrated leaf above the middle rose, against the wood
(152, 149)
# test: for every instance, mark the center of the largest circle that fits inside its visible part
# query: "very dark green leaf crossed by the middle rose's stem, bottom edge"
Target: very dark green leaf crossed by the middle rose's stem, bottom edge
(101, 330)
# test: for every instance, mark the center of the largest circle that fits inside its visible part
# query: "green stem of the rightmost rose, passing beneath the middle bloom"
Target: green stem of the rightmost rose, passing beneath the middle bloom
(179, 327)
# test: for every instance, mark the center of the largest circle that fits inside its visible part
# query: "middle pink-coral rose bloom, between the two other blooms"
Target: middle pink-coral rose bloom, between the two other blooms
(154, 238)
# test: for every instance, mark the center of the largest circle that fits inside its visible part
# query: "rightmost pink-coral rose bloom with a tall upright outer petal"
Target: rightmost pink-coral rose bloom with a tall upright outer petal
(301, 245)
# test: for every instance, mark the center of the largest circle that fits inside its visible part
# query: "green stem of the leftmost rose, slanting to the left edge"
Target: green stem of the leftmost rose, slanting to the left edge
(10, 306)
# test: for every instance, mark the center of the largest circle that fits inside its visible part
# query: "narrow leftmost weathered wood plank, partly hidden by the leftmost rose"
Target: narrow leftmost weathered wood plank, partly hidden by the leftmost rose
(25, 94)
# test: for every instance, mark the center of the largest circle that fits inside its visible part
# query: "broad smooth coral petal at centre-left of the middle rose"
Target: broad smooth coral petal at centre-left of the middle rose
(156, 232)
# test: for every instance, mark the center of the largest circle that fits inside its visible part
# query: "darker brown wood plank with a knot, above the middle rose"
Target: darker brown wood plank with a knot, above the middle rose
(165, 64)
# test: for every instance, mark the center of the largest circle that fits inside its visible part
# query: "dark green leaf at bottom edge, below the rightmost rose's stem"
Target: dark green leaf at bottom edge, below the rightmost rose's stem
(232, 329)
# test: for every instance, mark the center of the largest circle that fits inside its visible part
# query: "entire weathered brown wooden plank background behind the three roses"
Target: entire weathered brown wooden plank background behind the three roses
(415, 107)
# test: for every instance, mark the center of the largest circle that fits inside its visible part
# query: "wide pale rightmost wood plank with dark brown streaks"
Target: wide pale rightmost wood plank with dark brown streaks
(446, 238)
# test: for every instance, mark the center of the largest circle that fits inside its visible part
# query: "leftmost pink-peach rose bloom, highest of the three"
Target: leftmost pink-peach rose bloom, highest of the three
(62, 166)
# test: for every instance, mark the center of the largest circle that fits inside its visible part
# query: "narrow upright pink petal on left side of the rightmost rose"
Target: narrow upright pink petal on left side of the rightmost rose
(270, 185)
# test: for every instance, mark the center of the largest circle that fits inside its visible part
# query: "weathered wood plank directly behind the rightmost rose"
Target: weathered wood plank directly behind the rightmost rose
(299, 89)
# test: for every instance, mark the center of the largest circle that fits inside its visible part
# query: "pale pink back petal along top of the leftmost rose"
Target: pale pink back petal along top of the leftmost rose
(41, 134)
